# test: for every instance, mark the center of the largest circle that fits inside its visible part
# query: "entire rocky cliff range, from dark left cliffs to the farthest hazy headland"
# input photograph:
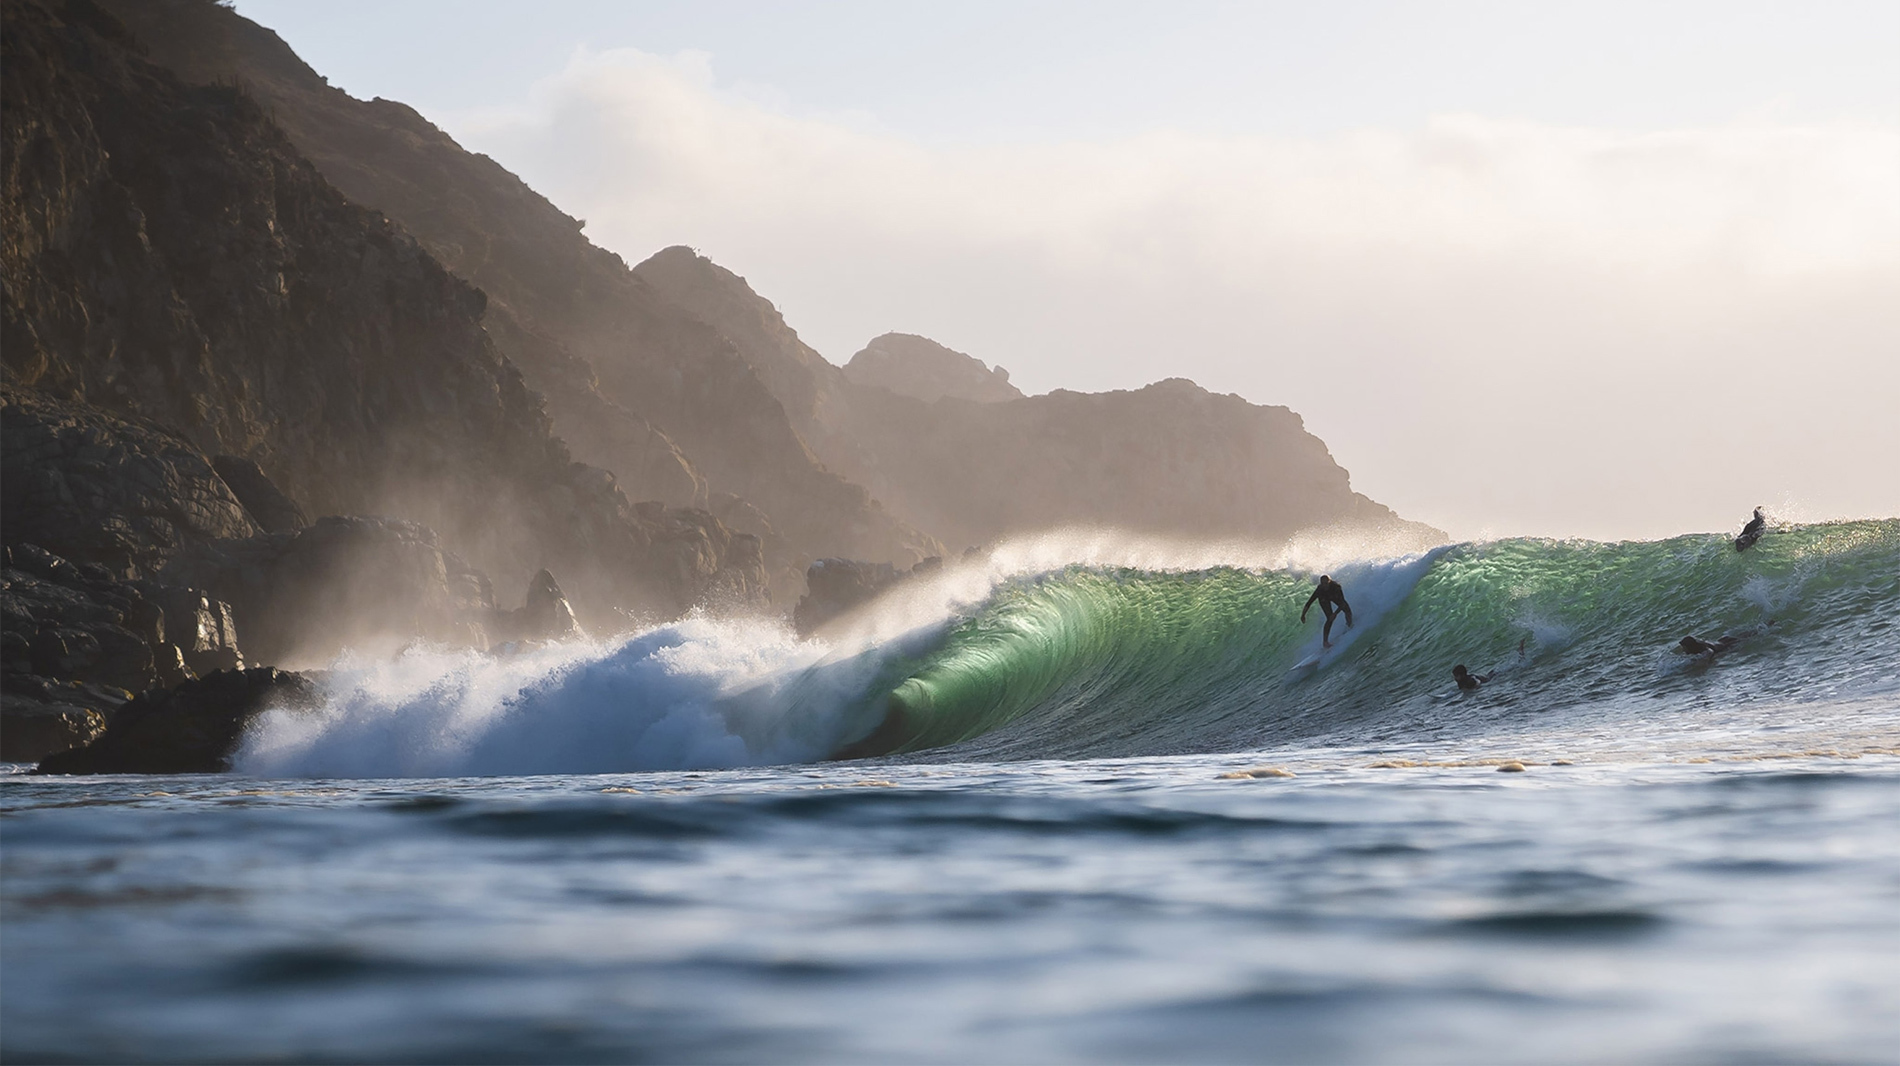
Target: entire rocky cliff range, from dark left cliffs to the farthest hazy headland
(290, 373)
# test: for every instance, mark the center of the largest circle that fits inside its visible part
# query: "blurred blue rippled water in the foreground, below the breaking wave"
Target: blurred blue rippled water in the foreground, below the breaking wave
(1618, 909)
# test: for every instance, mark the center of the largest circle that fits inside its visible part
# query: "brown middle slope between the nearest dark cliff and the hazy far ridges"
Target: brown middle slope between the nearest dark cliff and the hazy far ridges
(634, 381)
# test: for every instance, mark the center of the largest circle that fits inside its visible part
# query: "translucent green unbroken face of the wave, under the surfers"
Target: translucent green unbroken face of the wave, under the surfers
(1093, 662)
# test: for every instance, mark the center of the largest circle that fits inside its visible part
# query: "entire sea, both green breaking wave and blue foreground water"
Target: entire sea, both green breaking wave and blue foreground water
(1109, 816)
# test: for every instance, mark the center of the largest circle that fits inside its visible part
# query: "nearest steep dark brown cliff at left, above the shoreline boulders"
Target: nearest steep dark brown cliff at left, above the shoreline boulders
(170, 257)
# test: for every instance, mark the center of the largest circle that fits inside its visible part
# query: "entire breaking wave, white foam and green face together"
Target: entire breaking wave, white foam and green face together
(1143, 651)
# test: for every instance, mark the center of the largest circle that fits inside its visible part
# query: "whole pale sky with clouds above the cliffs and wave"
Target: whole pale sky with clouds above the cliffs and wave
(1529, 269)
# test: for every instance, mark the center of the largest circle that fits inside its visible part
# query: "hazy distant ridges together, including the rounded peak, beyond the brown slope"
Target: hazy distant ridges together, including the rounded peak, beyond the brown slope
(953, 447)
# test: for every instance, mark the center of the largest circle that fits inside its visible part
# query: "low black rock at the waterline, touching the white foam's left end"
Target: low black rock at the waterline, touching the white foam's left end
(193, 729)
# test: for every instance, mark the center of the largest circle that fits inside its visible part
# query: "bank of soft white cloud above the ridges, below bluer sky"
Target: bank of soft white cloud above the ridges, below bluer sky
(1494, 324)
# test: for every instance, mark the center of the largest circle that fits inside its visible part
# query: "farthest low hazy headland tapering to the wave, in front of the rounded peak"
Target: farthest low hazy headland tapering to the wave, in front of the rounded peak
(1169, 459)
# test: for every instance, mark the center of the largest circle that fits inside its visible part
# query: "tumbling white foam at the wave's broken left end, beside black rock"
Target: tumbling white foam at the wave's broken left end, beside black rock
(683, 696)
